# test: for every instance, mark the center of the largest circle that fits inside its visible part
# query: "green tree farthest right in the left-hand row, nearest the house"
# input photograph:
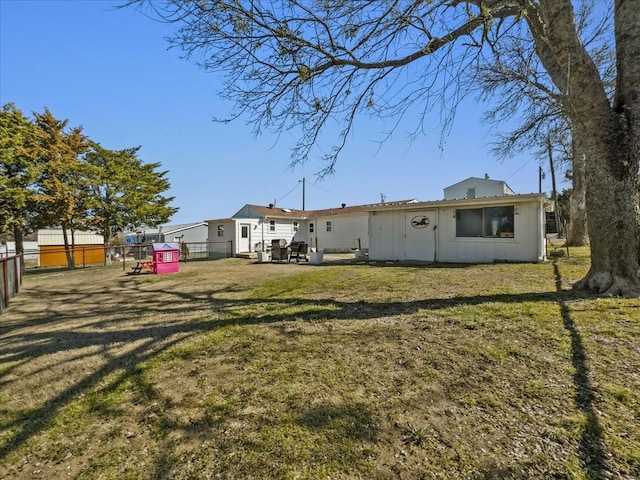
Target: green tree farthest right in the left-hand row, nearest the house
(123, 192)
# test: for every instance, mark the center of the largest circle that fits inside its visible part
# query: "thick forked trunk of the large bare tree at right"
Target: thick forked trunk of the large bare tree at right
(609, 135)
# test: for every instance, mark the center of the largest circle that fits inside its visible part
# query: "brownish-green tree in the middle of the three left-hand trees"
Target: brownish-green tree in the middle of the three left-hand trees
(60, 185)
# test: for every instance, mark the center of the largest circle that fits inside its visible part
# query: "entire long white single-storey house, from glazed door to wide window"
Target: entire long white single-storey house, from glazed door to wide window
(479, 220)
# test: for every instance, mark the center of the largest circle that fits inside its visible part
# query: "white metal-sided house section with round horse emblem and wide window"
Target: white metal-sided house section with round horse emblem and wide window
(462, 228)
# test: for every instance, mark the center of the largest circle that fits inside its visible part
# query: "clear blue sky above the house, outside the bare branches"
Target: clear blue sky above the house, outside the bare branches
(110, 70)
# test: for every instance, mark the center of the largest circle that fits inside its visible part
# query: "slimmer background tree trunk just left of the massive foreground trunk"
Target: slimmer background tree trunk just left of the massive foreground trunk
(578, 233)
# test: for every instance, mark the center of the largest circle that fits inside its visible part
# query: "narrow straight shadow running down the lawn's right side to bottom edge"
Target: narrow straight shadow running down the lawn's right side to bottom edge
(592, 449)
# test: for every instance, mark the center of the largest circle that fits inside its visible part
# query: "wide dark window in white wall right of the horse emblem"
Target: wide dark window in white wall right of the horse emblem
(490, 222)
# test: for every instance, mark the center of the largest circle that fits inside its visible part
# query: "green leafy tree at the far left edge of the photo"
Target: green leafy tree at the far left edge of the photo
(17, 173)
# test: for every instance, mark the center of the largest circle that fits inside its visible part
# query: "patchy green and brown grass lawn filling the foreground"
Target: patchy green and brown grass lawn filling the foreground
(237, 370)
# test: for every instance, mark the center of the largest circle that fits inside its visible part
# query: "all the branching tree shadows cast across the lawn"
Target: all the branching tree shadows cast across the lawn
(149, 339)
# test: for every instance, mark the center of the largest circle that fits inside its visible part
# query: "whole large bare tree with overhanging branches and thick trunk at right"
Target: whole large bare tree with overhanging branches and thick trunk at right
(300, 64)
